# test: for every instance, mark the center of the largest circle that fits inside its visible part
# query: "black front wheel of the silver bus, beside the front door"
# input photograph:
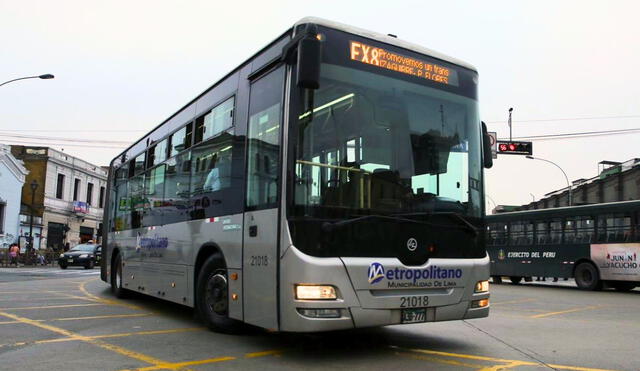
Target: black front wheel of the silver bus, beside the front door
(212, 296)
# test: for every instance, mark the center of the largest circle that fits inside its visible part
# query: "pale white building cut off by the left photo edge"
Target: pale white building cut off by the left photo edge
(12, 178)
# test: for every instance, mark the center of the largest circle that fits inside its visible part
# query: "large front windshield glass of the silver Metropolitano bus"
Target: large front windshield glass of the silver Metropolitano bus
(374, 144)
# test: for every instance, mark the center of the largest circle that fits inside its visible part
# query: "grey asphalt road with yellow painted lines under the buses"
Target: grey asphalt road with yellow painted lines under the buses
(73, 323)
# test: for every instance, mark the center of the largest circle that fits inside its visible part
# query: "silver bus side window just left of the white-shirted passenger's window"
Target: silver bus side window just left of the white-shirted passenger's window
(176, 189)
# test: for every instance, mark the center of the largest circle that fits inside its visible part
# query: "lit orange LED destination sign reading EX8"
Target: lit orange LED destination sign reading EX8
(392, 61)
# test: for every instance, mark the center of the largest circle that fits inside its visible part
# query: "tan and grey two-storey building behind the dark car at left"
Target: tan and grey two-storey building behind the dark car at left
(69, 199)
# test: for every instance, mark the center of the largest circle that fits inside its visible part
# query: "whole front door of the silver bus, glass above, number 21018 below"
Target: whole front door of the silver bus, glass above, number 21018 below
(261, 222)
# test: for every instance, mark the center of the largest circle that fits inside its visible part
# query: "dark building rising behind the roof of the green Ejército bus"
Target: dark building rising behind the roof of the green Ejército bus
(616, 181)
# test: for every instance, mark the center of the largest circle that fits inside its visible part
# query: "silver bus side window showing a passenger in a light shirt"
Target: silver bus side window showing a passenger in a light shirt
(211, 165)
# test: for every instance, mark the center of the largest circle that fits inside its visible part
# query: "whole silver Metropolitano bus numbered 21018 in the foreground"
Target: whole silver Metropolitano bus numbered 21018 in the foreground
(334, 180)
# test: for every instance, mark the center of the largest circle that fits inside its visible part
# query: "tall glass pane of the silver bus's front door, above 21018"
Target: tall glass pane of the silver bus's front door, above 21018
(264, 141)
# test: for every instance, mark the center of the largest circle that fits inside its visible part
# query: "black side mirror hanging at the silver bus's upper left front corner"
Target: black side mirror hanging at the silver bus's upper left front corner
(309, 54)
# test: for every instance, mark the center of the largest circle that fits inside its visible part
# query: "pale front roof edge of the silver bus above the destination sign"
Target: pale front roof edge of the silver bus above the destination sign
(385, 39)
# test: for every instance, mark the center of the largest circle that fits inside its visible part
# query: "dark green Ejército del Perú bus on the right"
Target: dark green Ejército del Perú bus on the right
(598, 245)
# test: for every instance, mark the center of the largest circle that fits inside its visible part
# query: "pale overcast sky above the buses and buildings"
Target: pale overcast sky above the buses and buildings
(122, 67)
